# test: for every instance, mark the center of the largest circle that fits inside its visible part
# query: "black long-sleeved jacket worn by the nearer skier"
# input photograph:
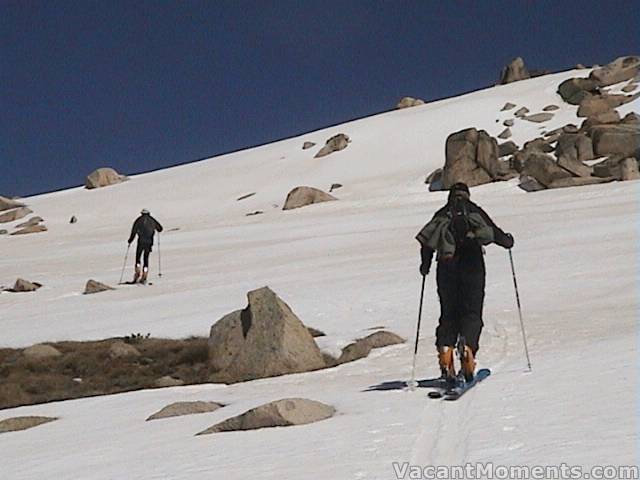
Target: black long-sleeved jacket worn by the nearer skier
(471, 249)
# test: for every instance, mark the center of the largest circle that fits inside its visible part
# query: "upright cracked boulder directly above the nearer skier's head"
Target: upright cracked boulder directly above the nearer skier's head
(471, 157)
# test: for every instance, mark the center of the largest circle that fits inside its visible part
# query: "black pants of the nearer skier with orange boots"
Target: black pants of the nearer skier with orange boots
(461, 293)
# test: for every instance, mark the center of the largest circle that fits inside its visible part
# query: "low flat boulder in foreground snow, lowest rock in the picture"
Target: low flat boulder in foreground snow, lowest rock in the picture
(280, 413)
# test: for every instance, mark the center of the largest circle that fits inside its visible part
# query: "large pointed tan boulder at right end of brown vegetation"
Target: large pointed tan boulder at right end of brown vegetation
(266, 339)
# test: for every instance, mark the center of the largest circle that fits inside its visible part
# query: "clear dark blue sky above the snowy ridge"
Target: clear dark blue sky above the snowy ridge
(141, 85)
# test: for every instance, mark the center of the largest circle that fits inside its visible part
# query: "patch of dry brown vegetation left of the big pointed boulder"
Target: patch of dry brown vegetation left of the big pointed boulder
(86, 369)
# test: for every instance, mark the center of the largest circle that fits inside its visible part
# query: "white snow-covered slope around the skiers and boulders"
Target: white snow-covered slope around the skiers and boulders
(343, 267)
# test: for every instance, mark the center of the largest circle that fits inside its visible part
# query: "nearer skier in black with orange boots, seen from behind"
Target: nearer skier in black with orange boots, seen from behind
(457, 233)
